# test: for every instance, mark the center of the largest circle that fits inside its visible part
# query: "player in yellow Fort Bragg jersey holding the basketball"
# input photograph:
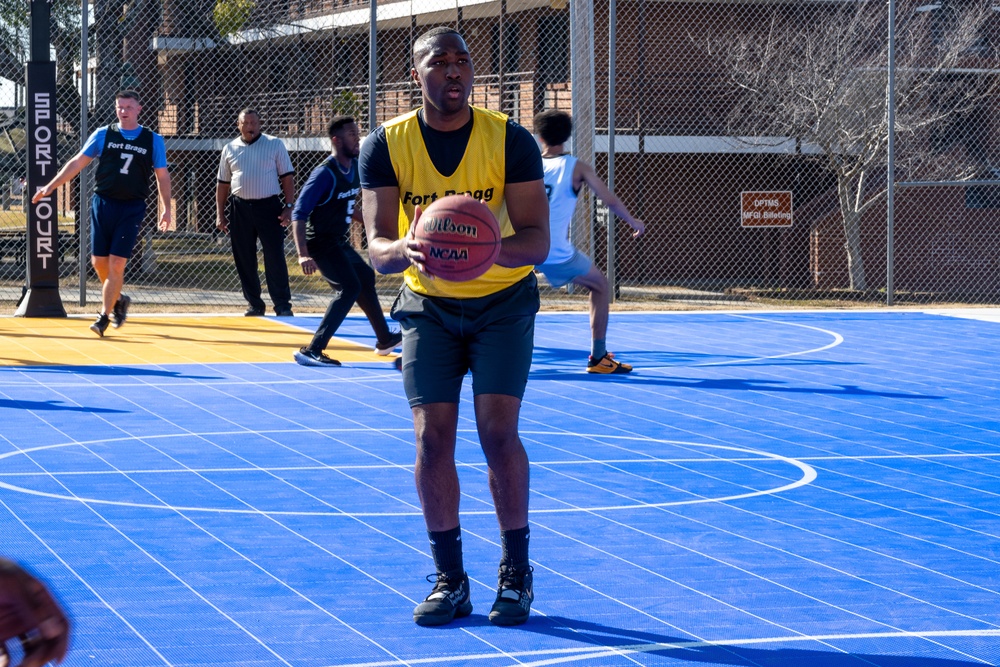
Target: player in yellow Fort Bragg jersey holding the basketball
(484, 325)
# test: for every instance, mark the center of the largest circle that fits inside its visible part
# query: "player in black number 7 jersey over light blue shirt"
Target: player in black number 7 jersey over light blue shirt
(128, 153)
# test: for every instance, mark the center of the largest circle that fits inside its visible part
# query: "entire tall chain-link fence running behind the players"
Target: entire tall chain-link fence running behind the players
(752, 138)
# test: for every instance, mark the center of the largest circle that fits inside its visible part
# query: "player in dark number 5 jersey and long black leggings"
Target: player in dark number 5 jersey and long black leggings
(321, 224)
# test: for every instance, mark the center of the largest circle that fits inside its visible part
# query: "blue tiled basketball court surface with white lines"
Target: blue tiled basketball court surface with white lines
(771, 489)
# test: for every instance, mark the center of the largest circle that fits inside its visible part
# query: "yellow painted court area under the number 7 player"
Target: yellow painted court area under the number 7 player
(159, 339)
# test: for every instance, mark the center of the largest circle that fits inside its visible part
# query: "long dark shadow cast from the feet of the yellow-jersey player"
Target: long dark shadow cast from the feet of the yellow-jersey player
(618, 639)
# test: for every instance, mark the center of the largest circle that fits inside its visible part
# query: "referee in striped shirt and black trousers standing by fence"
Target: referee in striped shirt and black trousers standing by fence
(256, 179)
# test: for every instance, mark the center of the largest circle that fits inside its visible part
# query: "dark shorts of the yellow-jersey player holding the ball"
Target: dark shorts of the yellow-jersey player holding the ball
(443, 339)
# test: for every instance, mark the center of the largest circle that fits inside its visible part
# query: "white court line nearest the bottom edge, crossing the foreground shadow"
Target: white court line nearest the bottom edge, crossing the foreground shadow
(590, 652)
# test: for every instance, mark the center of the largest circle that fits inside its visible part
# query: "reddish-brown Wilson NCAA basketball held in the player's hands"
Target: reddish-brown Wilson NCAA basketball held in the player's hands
(462, 237)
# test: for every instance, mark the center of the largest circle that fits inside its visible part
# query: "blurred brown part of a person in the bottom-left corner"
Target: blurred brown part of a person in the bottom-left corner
(29, 614)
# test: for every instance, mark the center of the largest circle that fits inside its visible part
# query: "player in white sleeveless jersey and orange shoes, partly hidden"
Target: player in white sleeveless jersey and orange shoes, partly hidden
(565, 175)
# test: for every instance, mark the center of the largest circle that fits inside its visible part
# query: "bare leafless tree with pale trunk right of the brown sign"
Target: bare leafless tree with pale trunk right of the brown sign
(818, 74)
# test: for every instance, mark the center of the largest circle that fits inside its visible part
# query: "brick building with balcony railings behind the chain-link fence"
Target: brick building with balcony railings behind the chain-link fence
(676, 165)
